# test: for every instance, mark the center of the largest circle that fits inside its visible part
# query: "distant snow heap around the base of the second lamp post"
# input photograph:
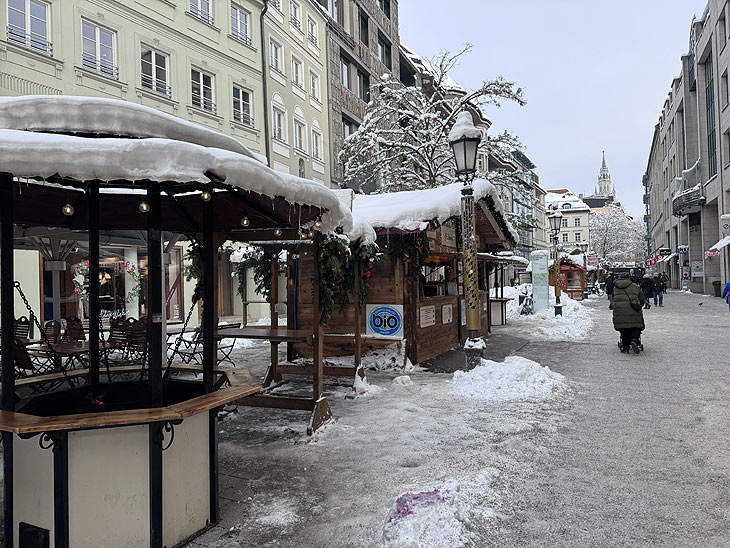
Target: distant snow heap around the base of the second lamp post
(573, 325)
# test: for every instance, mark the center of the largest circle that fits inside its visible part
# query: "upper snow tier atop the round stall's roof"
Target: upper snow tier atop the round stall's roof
(108, 117)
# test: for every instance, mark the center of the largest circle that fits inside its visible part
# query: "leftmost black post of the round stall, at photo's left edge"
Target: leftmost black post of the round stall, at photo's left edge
(7, 323)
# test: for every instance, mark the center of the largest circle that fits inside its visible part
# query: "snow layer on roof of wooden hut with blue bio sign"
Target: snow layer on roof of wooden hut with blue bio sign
(412, 210)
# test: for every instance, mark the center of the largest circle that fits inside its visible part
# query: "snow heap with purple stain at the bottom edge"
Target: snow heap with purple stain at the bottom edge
(442, 517)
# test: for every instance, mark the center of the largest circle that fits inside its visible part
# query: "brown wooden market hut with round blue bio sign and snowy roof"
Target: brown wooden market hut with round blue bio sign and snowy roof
(409, 290)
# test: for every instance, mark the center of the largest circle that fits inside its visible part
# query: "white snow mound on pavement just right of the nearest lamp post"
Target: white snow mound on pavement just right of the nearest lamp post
(516, 378)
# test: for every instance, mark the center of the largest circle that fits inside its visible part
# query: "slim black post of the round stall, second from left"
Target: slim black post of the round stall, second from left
(92, 200)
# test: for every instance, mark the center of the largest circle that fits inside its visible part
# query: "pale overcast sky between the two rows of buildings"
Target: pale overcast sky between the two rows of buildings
(595, 76)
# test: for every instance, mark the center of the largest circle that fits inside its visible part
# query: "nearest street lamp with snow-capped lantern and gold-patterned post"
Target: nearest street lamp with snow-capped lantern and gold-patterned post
(464, 139)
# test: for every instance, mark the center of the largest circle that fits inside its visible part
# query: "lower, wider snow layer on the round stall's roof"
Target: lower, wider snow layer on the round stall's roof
(33, 154)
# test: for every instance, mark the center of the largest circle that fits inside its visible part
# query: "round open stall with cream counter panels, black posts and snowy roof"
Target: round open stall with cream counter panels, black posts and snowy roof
(99, 455)
